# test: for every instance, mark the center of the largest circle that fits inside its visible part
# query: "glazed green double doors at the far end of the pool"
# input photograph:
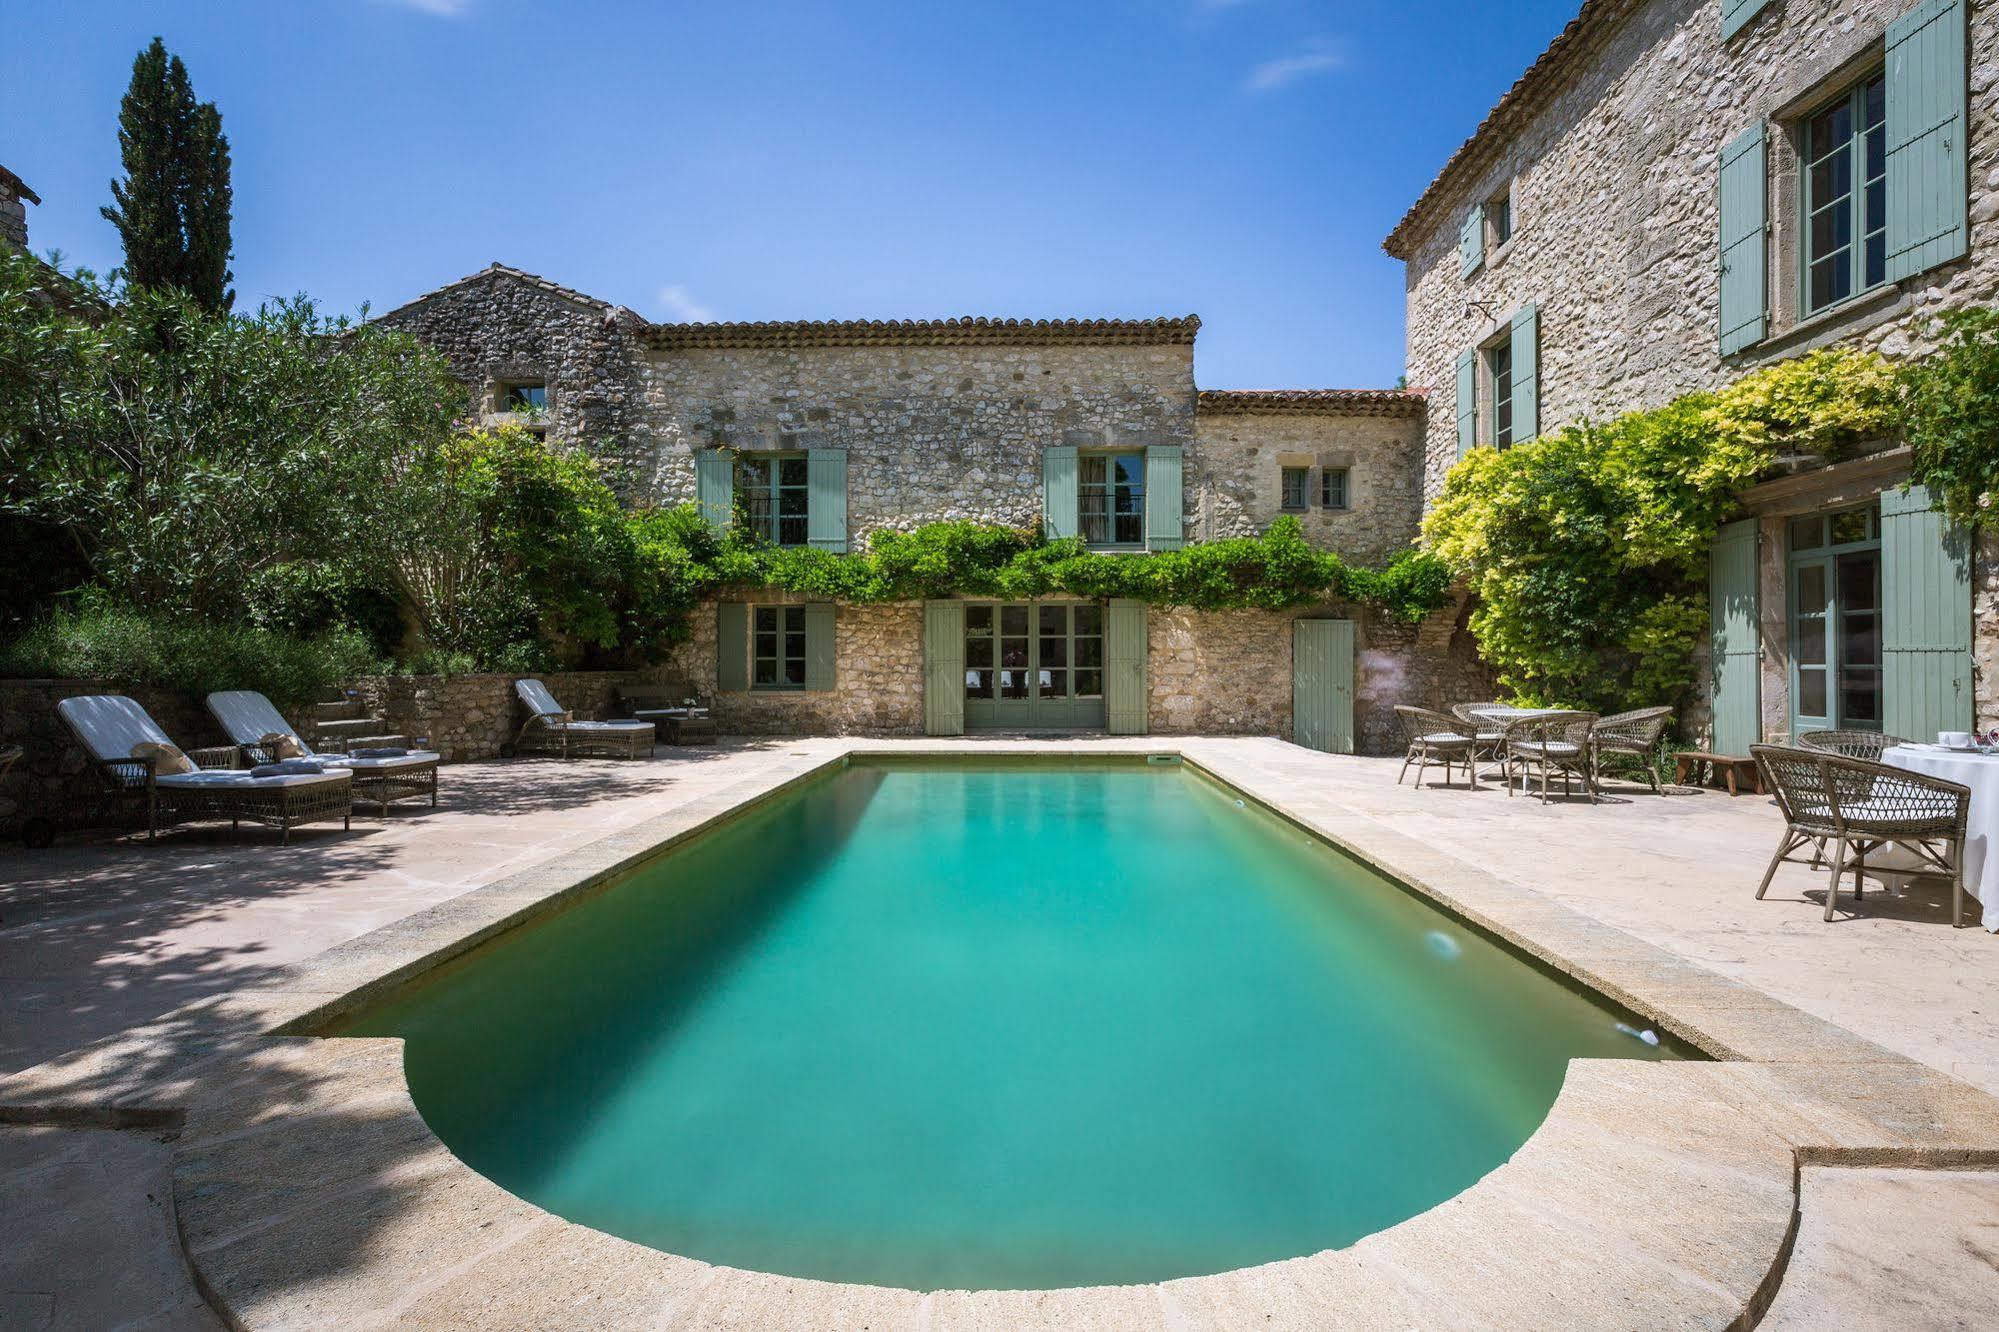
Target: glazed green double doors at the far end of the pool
(1032, 667)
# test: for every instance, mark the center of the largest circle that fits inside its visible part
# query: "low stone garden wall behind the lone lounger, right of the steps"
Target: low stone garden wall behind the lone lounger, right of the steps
(481, 717)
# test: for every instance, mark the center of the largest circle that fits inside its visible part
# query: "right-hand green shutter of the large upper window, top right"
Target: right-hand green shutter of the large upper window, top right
(1928, 187)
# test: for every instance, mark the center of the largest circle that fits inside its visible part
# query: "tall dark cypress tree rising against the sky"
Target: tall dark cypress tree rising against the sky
(173, 209)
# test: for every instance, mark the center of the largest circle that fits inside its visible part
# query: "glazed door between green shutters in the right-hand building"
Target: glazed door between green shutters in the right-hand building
(1836, 621)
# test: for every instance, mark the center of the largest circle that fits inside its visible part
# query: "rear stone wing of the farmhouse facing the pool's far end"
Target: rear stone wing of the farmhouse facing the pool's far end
(827, 433)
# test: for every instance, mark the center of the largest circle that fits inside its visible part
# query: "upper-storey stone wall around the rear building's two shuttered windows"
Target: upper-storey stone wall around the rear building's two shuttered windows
(933, 433)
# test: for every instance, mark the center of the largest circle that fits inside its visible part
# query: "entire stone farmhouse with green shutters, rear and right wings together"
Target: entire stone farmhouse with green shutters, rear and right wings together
(1676, 193)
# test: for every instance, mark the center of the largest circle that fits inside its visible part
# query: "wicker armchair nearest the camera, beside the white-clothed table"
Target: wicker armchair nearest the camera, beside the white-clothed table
(1864, 807)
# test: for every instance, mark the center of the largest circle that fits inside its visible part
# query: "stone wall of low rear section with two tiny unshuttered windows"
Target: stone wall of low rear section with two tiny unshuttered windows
(1246, 451)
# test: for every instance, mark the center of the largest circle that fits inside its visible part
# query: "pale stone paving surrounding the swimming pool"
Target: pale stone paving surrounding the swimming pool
(111, 939)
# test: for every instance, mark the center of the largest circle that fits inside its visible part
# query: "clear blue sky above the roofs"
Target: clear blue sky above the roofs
(789, 159)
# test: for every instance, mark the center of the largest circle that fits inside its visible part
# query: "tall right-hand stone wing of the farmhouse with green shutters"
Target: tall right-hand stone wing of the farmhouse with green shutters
(1682, 191)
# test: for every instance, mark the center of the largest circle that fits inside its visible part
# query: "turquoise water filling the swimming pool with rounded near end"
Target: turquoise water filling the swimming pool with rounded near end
(1002, 1025)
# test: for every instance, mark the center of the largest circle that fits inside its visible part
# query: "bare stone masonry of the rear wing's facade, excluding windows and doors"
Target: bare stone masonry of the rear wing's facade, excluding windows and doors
(945, 421)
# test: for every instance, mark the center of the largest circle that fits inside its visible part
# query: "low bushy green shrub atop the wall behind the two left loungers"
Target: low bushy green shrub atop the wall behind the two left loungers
(191, 657)
